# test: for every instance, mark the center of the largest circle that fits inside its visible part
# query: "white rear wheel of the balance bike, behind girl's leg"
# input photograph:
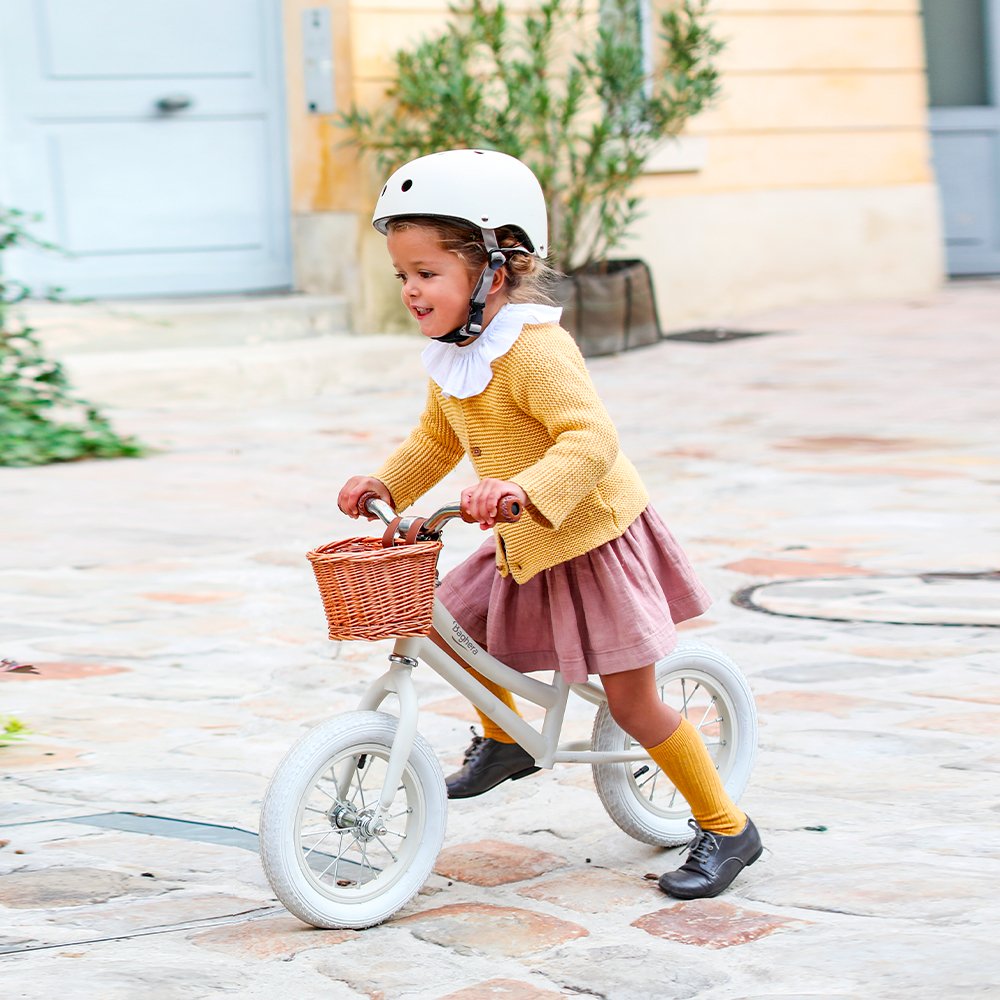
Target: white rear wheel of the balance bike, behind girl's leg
(710, 691)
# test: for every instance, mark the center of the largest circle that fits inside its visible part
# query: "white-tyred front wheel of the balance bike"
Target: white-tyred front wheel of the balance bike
(328, 858)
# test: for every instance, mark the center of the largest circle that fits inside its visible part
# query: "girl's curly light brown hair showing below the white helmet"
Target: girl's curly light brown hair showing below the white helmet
(528, 278)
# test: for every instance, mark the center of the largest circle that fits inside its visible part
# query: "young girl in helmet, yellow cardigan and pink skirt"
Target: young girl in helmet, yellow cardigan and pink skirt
(592, 581)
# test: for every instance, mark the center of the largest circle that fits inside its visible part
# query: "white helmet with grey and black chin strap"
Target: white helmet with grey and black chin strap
(482, 187)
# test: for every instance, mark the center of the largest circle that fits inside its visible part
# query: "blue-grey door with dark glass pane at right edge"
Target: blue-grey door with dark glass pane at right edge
(963, 63)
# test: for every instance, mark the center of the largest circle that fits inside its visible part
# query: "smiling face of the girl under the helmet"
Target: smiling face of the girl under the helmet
(436, 283)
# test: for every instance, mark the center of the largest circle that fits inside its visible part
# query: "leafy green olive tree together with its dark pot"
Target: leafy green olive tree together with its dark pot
(570, 88)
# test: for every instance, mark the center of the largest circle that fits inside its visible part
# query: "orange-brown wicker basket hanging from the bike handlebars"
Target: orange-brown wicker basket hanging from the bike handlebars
(372, 592)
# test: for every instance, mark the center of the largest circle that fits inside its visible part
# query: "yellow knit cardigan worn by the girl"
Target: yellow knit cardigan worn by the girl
(539, 423)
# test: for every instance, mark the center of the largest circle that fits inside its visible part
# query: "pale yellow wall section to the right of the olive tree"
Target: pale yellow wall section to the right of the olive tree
(815, 180)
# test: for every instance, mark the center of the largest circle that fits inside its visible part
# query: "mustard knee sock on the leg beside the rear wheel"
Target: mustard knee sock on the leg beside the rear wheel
(684, 759)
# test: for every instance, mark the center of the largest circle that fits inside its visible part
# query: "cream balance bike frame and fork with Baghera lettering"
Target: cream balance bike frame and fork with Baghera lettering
(543, 745)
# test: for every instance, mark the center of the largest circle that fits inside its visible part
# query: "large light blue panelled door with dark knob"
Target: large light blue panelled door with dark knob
(150, 135)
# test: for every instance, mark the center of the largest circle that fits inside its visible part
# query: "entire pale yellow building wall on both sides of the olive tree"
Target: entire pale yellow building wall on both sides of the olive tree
(811, 178)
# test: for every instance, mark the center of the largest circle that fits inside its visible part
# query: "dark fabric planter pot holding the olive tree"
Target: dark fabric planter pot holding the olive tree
(609, 307)
